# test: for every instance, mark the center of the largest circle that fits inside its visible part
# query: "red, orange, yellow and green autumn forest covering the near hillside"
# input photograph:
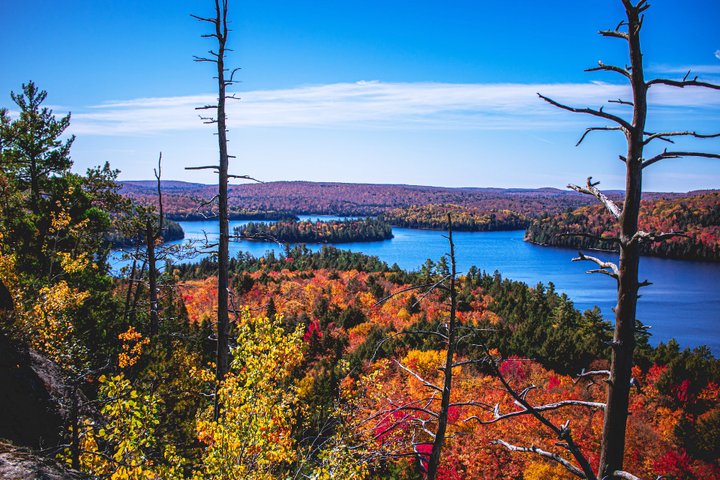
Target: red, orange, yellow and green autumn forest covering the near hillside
(334, 359)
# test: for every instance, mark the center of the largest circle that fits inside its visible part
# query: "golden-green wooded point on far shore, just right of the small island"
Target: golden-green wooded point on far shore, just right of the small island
(467, 219)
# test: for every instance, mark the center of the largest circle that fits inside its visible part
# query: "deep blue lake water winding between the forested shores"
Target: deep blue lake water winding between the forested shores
(682, 303)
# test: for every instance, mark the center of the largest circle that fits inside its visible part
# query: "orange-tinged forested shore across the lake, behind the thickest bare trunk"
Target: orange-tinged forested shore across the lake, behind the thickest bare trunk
(695, 218)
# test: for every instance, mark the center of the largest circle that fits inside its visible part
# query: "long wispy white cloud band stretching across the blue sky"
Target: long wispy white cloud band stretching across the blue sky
(372, 104)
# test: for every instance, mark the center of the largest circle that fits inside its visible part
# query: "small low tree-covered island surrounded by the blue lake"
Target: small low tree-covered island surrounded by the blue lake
(332, 231)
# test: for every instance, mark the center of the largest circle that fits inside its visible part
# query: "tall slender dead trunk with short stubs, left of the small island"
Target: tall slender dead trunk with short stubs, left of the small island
(220, 35)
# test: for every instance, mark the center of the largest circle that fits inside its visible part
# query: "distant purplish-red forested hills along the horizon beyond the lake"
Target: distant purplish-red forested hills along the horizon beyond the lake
(253, 200)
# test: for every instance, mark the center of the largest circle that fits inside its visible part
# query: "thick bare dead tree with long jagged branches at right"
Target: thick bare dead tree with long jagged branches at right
(630, 237)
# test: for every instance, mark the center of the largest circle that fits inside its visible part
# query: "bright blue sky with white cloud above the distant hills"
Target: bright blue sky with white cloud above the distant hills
(433, 93)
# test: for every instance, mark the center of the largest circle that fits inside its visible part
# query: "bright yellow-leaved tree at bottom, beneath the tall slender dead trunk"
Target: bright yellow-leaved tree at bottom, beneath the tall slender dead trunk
(253, 437)
